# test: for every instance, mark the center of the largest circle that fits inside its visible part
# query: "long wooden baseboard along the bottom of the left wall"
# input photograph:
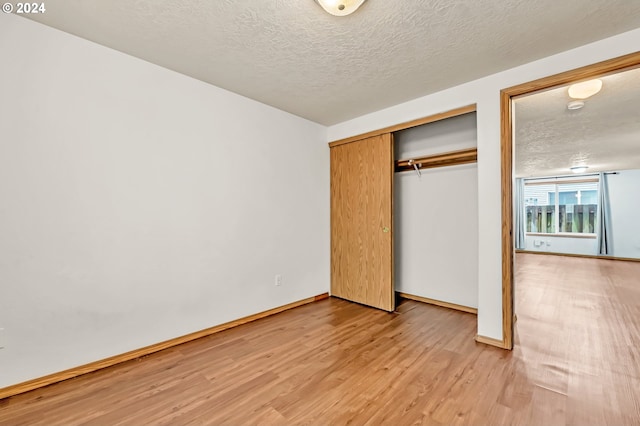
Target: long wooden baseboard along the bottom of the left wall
(147, 350)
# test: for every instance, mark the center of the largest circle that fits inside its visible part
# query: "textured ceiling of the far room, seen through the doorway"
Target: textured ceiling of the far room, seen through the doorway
(604, 135)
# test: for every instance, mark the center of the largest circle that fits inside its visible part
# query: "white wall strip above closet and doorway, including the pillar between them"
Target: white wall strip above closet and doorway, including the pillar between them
(485, 92)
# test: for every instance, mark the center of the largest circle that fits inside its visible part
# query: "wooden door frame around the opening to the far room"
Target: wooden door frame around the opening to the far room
(506, 152)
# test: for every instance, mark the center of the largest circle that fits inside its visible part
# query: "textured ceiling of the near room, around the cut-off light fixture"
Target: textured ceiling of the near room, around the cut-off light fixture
(292, 55)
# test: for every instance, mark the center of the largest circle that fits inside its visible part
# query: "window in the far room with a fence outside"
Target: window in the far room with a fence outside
(562, 207)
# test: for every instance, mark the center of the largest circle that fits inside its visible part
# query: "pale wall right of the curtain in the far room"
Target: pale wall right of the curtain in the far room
(624, 202)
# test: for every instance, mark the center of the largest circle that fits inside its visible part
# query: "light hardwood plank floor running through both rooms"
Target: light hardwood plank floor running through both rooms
(576, 361)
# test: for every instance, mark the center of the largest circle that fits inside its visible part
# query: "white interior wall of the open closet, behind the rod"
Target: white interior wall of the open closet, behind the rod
(436, 227)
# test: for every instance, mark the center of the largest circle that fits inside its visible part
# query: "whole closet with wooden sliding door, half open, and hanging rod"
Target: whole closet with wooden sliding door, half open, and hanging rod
(404, 213)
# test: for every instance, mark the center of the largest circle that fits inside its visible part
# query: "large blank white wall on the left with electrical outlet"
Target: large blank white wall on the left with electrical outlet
(138, 204)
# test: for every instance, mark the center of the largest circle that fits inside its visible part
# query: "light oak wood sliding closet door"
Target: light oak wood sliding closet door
(361, 220)
